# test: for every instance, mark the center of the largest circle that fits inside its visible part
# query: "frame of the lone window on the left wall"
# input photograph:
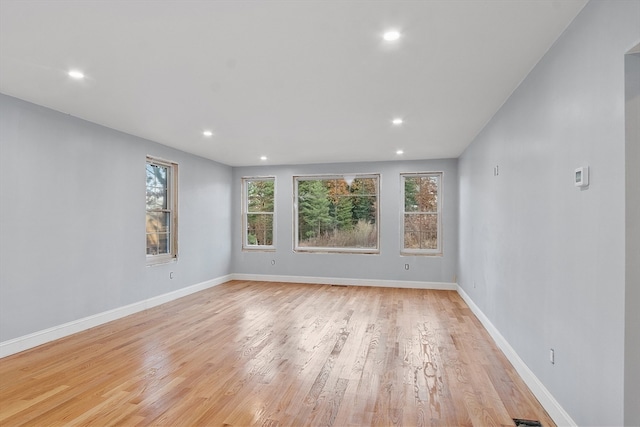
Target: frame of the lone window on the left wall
(172, 209)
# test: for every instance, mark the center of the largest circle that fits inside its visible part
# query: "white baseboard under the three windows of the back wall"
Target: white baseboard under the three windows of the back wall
(343, 281)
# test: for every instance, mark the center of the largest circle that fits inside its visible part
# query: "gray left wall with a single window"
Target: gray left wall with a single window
(72, 219)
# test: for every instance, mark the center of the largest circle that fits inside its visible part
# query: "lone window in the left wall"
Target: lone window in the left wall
(162, 211)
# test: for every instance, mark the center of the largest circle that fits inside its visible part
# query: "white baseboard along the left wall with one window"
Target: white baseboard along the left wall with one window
(35, 339)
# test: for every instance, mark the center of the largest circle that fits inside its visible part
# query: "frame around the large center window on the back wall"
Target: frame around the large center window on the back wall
(320, 249)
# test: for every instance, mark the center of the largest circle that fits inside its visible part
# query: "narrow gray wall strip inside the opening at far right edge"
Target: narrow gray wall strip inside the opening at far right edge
(632, 301)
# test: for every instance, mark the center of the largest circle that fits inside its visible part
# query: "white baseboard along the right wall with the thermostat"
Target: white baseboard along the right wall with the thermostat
(546, 399)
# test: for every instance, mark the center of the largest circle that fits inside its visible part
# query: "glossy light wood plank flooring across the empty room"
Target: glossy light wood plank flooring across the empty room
(274, 354)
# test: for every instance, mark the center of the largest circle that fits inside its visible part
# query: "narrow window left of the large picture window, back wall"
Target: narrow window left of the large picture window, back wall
(258, 209)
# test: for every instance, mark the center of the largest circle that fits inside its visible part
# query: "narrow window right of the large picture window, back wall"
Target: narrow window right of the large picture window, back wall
(422, 221)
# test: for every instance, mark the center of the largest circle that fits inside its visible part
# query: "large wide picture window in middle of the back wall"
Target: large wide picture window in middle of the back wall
(336, 213)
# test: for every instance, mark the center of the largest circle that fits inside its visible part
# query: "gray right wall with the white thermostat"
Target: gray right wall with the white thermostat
(544, 260)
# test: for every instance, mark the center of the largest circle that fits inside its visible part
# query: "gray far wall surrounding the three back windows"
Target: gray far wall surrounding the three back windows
(388, 265)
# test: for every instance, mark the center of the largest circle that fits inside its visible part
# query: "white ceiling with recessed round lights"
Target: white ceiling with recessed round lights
(297, 81)
